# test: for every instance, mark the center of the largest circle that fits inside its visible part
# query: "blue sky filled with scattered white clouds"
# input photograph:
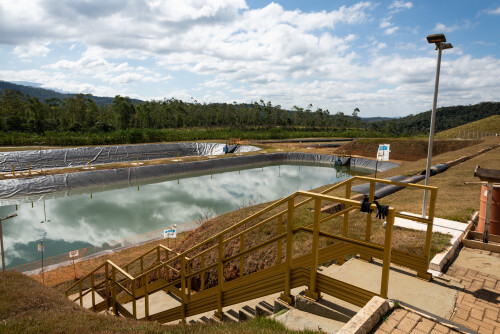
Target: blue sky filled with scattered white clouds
(335, 55)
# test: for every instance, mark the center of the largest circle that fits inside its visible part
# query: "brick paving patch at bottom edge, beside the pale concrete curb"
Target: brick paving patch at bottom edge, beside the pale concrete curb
(404, 321)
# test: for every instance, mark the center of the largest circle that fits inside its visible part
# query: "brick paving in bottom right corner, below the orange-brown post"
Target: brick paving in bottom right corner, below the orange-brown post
(478, 305)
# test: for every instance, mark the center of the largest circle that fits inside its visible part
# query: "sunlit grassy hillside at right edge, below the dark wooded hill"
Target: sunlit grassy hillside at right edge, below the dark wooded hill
(489, 125)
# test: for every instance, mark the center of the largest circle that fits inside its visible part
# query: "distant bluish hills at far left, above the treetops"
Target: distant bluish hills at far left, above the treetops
(46, 94)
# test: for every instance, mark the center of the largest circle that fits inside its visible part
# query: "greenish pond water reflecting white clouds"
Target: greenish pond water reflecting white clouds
(68, 223)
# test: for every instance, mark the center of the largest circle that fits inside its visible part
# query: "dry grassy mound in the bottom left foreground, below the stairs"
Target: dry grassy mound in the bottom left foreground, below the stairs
(27, 306)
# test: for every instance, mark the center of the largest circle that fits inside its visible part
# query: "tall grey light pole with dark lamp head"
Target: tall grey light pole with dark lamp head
(440, 41)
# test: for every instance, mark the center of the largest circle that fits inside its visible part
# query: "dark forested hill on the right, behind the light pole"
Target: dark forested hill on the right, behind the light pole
(446, 118)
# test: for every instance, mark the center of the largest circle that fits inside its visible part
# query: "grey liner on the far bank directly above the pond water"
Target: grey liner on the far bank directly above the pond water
(14, 191)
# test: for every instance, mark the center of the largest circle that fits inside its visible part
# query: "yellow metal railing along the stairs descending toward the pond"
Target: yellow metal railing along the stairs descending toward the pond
(163, 269)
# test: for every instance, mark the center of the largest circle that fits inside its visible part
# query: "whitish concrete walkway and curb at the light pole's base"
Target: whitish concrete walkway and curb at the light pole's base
(445, 226)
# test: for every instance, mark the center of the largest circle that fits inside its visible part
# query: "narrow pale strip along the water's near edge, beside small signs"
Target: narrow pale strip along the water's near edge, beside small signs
(112, 246)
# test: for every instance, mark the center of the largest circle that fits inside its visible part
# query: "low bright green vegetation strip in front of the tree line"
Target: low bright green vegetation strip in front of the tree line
(134, 136)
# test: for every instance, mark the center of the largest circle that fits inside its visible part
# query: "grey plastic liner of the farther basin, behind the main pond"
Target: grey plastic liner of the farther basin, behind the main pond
(80, 156)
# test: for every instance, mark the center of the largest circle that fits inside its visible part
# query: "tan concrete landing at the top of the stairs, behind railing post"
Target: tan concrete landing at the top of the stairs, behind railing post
(432, 297)
